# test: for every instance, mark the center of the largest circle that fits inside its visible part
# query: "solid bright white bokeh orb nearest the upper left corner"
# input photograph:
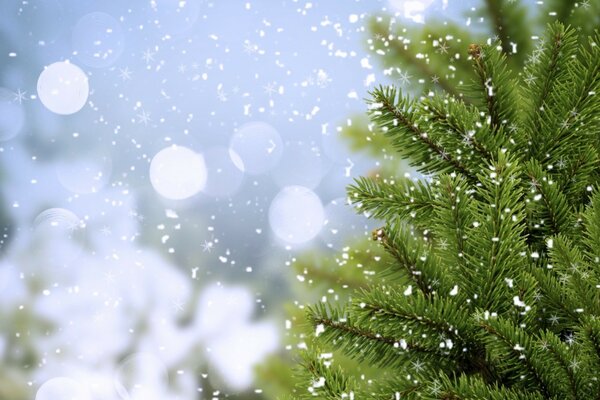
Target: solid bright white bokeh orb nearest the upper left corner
(63, 88)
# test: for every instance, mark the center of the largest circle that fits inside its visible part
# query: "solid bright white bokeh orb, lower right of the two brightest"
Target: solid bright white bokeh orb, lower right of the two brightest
(177, 172)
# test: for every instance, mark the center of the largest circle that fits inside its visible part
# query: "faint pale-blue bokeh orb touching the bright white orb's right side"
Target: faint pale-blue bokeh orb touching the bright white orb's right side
(224, 173)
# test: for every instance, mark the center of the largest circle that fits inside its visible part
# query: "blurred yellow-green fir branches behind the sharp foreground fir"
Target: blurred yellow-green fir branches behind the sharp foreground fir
(425, 59)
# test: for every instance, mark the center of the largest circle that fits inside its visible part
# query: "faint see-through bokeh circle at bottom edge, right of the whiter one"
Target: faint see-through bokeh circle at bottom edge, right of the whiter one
(141, 376)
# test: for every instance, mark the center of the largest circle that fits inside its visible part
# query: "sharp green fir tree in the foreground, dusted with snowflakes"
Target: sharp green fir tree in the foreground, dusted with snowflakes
(498, 252)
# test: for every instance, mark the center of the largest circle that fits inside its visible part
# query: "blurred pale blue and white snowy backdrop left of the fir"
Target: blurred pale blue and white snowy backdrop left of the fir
(161, 162)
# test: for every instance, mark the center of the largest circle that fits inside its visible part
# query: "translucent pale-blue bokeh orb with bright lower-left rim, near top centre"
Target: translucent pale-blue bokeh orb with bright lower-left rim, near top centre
(258, 145)
